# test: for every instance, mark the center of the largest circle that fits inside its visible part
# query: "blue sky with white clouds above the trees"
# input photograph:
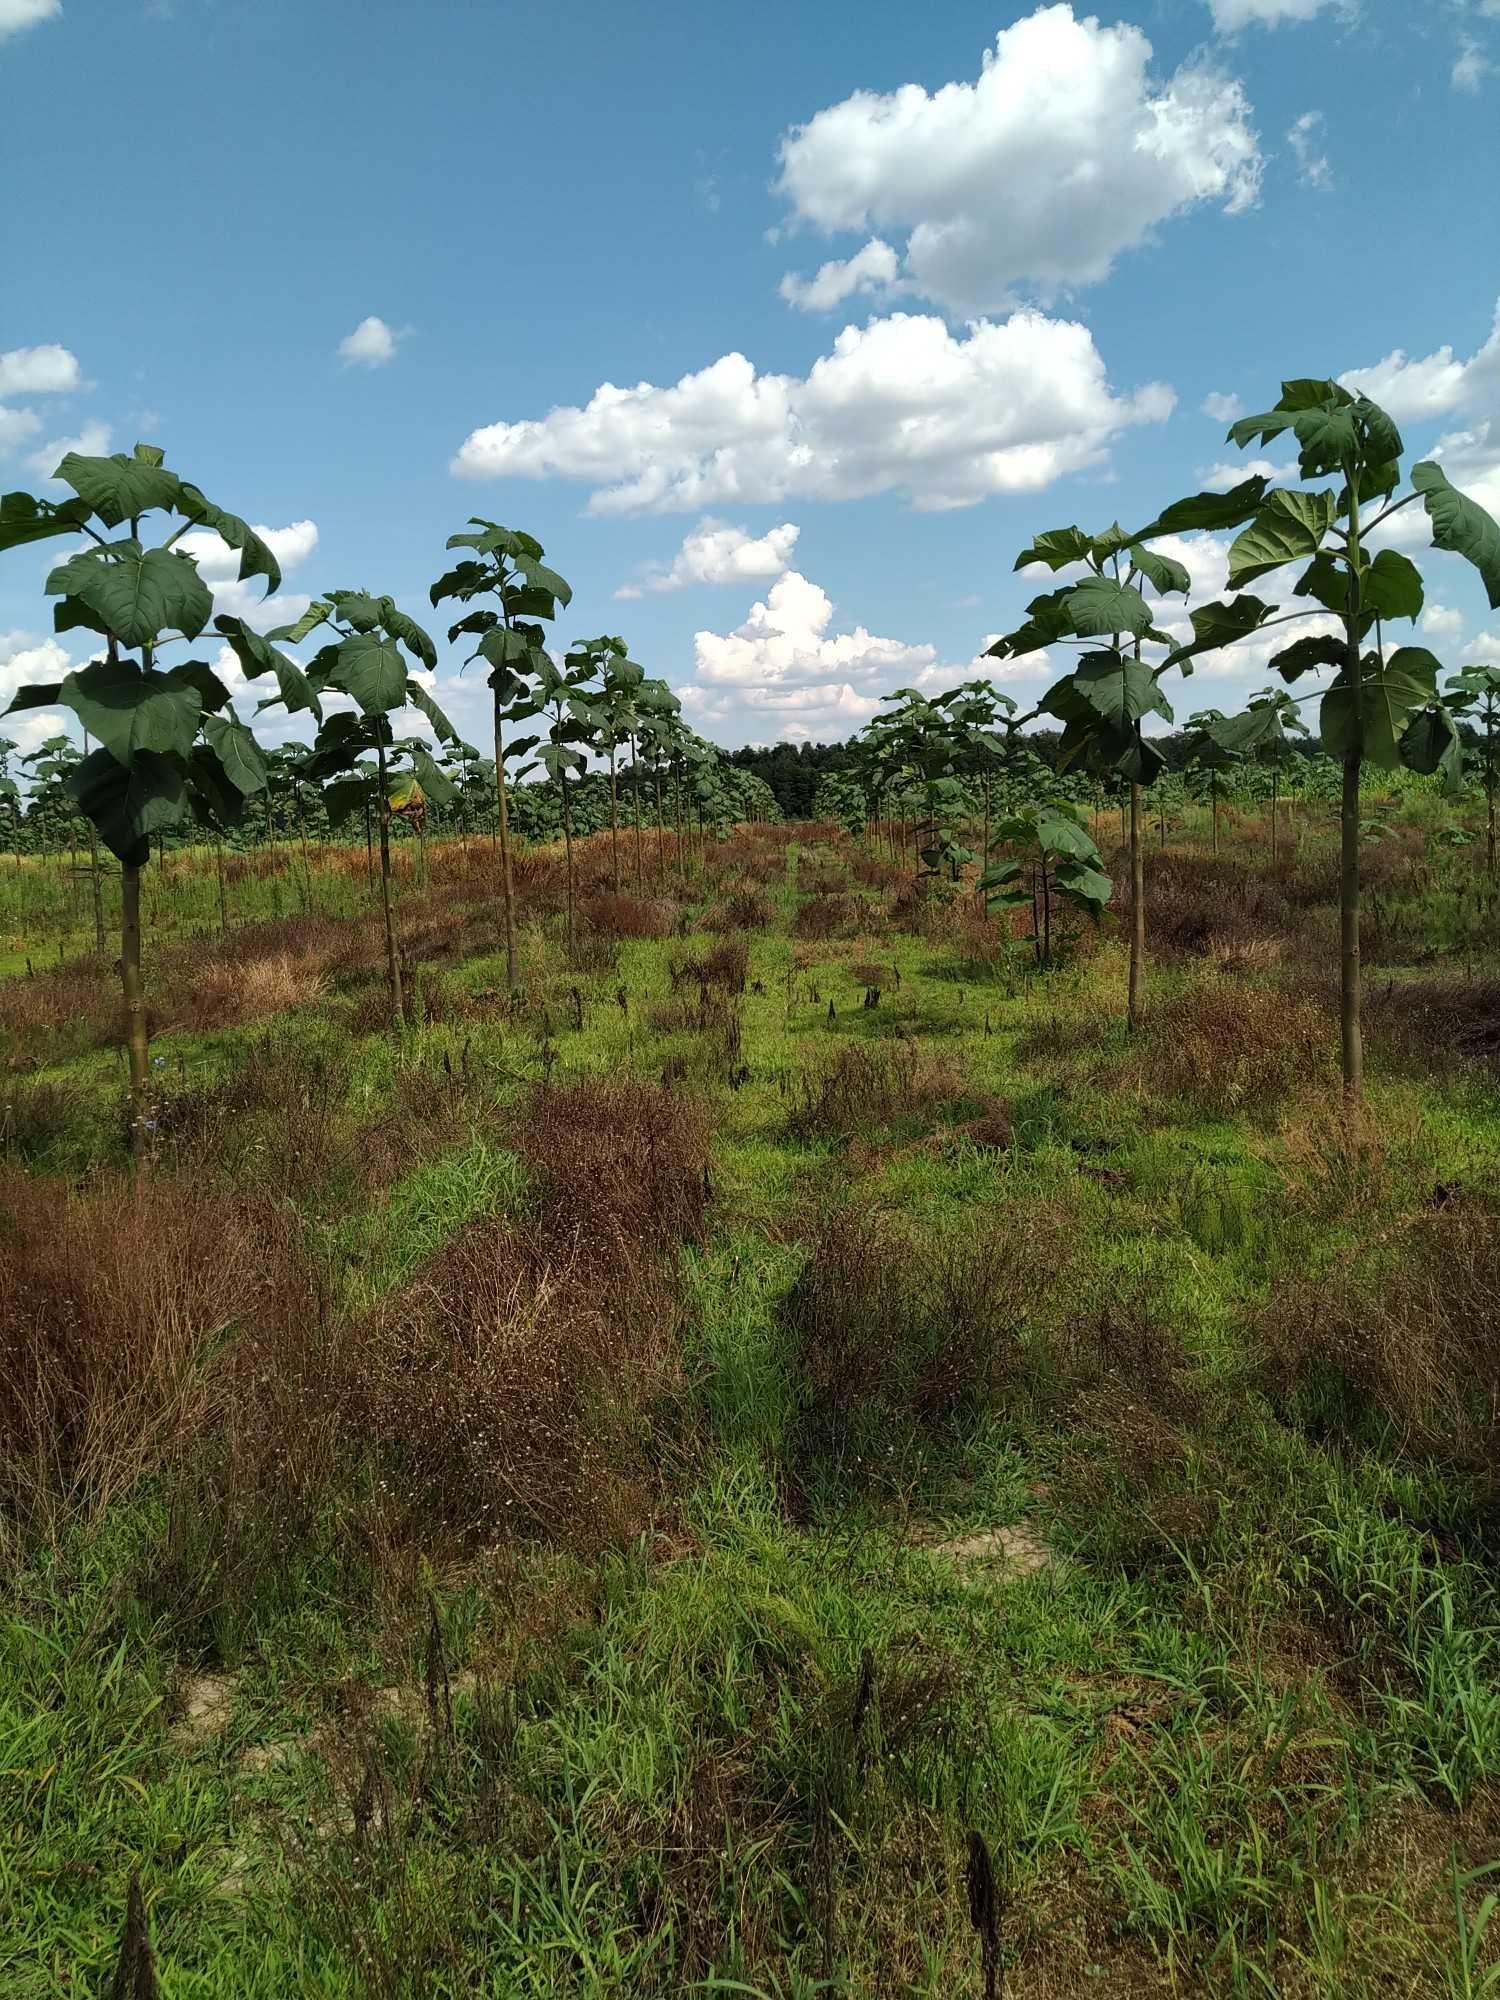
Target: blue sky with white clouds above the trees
(881, 295)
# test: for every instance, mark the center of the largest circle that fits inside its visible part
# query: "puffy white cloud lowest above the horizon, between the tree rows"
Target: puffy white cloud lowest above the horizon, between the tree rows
(785, 643)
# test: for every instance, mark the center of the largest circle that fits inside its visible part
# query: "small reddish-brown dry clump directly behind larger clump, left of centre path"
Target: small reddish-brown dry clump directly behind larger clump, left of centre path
(621, 1159)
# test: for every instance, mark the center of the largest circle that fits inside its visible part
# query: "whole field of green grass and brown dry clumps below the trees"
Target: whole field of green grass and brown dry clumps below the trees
(789, 1457)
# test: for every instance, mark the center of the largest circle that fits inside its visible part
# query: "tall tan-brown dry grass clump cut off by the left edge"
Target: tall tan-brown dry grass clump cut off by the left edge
(111, 1319)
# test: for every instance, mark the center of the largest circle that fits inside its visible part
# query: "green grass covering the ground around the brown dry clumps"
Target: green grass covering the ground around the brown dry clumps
(1239, 1737)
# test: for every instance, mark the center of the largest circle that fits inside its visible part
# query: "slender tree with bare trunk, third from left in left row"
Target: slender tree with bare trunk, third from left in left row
(505, 567)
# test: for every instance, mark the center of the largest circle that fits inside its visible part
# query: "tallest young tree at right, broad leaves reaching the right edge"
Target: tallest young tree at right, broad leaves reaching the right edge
(1383, 707)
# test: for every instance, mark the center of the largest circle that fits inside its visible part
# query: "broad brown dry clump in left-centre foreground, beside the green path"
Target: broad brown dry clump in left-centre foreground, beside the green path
(505, 1389)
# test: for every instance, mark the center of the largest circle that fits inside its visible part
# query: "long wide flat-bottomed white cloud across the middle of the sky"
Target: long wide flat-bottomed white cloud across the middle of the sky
(897, 405)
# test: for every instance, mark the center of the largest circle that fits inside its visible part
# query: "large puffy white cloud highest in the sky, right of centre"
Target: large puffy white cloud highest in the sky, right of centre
(1059, 157)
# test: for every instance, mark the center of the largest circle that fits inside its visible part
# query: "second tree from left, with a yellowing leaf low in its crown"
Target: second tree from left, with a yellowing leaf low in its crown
(365, 663)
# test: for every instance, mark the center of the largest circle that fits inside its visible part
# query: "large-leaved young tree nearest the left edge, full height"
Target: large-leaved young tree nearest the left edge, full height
(167, 735)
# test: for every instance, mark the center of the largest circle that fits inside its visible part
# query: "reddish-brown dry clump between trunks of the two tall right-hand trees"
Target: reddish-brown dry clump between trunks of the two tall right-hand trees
(1229, 1047)
